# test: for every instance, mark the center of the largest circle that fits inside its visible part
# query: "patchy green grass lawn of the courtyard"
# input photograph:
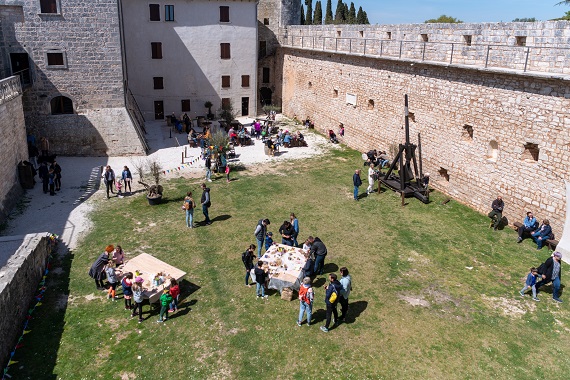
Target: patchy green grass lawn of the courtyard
(435, 291)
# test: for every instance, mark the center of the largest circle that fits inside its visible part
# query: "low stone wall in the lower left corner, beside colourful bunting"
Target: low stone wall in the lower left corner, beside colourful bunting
(19, 279)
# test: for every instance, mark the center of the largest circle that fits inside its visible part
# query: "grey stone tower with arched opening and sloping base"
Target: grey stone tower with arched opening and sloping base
(69, 57)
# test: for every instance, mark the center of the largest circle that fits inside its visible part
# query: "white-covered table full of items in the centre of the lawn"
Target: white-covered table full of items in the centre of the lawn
(285, 265)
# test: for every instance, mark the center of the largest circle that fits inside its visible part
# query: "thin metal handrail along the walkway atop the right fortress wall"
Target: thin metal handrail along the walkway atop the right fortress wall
(523, 58)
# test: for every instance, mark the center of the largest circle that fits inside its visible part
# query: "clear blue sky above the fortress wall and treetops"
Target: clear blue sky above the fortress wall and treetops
(416, 11)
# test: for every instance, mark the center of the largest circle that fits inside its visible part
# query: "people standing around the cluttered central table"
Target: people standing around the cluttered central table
(336, 292)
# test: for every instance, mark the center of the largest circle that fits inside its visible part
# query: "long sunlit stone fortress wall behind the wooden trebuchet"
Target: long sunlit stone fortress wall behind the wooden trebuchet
(484, 132)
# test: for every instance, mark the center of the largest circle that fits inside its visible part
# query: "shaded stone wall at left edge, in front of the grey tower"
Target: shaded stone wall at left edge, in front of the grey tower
(13, 146)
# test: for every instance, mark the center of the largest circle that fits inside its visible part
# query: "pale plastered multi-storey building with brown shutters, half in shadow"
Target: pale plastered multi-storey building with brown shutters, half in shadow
(175, 58)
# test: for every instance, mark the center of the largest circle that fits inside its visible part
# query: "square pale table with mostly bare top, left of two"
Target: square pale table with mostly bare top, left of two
(148, 266)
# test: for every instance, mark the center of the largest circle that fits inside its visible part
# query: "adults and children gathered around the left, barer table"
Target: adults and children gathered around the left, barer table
(107, 267)
